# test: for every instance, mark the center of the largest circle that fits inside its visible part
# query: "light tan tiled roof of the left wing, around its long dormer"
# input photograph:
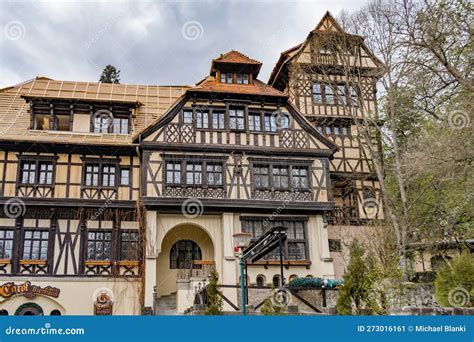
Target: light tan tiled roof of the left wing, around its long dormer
(153, 101)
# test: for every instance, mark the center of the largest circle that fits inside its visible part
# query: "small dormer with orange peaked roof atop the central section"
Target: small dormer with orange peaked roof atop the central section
(234, 67)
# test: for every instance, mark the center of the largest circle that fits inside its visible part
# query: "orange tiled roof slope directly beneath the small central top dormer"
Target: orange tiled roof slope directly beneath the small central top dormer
(210, 85)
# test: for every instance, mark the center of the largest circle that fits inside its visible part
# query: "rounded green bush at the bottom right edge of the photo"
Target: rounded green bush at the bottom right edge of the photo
(454, 284)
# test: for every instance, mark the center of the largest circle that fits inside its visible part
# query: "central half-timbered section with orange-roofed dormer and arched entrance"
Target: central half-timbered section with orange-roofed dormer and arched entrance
(232, 155)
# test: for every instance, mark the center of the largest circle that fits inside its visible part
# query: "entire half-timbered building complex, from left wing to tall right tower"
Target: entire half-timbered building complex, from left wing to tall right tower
(120, 199)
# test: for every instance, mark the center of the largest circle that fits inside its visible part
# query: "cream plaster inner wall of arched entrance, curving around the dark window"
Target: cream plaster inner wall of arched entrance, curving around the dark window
(166, 271)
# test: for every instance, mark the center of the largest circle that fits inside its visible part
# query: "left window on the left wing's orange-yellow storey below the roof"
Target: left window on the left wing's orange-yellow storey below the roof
(36, 172)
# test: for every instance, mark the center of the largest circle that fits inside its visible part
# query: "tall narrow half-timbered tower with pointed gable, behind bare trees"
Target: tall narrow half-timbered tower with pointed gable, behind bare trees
(331, 78)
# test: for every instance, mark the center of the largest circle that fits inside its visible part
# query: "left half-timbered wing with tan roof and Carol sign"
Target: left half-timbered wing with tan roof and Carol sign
(70, 239)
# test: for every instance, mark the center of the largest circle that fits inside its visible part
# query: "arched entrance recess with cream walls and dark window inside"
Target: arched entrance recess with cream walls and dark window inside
(180, 246)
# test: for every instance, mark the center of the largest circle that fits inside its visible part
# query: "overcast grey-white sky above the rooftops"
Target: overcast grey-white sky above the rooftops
(151, 42)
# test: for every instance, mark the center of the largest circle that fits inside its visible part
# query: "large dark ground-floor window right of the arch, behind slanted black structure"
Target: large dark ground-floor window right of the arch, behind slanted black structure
(294, 248)
